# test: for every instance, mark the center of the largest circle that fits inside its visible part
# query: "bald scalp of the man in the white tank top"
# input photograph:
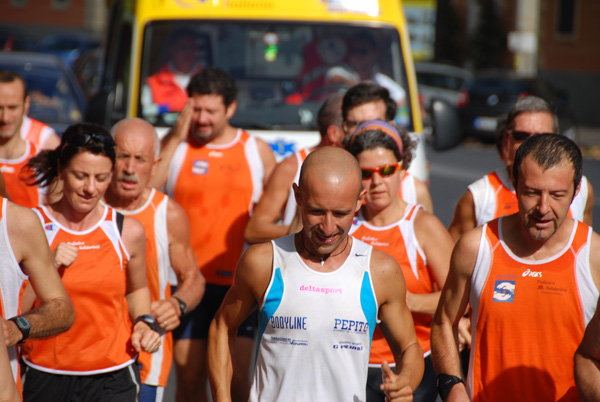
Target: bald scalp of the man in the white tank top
(332, 167)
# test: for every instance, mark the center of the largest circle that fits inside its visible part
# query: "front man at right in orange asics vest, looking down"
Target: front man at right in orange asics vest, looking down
(531, 279)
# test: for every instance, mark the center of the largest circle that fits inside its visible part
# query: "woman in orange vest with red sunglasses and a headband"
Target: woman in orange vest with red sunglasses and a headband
(414, 237)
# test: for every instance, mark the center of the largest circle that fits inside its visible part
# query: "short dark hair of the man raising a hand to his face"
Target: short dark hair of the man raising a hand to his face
(213, 81)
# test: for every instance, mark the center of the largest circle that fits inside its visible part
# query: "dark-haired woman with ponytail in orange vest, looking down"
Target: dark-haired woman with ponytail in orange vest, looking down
(100, 257)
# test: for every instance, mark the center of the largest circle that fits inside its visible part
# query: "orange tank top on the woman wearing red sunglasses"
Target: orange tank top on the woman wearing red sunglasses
(399, 241)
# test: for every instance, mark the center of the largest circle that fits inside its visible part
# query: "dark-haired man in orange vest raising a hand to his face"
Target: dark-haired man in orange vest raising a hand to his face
(216, 173)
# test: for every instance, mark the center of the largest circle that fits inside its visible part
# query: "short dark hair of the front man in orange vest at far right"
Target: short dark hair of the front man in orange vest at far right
(548, 150)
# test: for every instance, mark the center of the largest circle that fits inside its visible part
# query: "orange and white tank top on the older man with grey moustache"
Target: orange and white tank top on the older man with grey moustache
(155, 367)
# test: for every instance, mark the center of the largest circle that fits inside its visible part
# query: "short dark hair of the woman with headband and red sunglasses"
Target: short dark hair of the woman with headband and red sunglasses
(374, 138)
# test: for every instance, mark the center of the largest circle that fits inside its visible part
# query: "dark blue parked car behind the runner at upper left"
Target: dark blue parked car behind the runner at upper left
(56, 98)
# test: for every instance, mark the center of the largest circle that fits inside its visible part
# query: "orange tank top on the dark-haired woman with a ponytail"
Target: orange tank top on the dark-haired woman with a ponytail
(99, 340)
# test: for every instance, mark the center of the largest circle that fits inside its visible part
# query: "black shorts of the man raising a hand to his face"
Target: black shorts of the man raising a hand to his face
(195, 324)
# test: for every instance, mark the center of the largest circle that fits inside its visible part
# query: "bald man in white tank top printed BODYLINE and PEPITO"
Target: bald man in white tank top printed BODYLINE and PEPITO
(292, 279)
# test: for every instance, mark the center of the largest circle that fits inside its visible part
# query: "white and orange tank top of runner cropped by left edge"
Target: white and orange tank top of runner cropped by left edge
(11, 281)
